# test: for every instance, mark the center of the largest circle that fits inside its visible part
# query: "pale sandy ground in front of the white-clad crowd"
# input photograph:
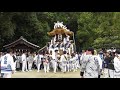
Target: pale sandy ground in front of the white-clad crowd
(41, 74)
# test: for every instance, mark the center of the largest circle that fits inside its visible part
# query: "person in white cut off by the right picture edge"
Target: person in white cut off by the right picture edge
(117, 64)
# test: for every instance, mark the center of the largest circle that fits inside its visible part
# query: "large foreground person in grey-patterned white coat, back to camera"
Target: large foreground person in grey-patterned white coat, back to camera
(90, 67)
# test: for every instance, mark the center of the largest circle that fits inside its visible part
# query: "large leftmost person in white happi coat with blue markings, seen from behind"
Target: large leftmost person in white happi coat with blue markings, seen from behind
(7, 65)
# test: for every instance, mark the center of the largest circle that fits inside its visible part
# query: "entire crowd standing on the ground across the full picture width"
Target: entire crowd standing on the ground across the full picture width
(90, 63)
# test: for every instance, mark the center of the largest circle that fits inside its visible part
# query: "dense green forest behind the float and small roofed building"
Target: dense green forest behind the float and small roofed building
(96, 29)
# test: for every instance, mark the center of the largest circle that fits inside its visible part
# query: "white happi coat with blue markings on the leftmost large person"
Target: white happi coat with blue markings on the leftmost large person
(7, 64)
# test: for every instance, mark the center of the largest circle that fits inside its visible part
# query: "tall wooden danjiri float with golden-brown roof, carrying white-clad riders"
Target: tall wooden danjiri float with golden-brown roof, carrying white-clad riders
(62, 39)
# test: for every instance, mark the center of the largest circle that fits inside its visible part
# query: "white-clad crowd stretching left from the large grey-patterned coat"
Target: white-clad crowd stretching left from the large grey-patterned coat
(27, 61)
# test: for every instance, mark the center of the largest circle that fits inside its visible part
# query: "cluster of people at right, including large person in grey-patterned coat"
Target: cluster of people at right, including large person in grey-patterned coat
(104, 63)
